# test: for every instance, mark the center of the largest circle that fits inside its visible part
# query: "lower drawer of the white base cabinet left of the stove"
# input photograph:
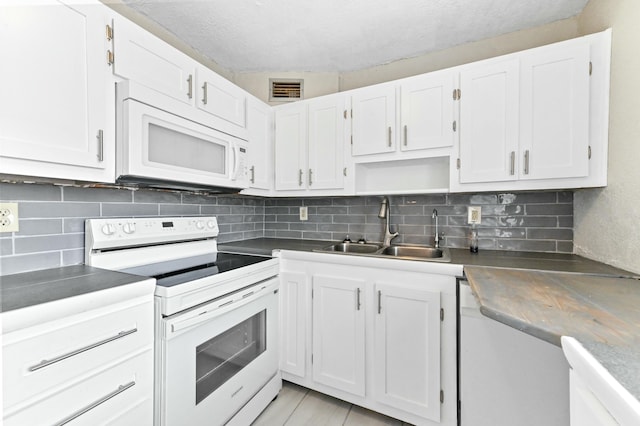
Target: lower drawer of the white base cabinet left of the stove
(120, 394)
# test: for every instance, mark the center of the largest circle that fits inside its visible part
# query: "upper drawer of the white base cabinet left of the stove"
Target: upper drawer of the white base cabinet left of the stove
(40, 358)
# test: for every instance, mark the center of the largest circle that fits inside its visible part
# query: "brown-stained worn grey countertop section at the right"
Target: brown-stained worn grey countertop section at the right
(601, 312)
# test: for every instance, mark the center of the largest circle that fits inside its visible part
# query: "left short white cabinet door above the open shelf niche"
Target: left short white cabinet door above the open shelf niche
(374, 120)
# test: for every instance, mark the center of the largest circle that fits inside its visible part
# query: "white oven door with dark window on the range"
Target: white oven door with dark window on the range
(216, 357)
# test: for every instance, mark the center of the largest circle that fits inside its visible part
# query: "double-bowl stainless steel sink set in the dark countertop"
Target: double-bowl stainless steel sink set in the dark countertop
(410, 252)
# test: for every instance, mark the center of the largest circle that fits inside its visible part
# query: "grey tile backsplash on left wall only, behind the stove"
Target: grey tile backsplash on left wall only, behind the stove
(52, 219)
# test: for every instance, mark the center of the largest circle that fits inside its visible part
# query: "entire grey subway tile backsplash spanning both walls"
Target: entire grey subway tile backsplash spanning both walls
(52, 219)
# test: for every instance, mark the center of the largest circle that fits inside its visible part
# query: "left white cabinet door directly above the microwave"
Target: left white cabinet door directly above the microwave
(142, 57)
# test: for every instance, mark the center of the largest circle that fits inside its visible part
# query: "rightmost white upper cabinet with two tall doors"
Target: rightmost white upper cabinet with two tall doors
(532, 120)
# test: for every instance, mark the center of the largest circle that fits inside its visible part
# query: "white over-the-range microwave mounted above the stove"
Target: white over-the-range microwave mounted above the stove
(154, 144)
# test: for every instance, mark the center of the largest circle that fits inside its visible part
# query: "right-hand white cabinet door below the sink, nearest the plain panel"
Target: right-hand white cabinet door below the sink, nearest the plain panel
(407, 349)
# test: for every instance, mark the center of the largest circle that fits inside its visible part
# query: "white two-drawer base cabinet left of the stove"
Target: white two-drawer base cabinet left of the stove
(95, 367)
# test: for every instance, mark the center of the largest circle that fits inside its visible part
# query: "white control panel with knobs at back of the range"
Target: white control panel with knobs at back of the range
(127, 232)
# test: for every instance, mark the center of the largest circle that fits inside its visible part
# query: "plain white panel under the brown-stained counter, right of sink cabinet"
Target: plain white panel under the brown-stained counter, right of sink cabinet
(508, 377)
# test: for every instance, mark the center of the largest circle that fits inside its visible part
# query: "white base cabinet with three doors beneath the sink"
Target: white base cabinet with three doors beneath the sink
(377, 333)
